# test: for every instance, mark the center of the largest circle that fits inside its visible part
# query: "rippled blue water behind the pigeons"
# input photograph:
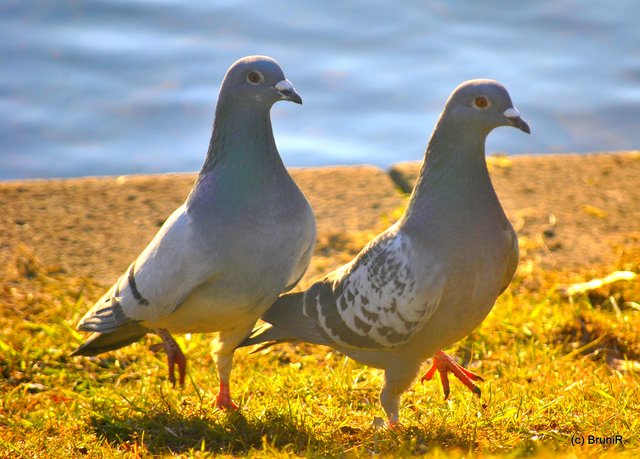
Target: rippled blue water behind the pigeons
(119, 87)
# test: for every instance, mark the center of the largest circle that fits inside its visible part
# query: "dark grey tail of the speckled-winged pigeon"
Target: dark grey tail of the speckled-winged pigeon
(288, 323)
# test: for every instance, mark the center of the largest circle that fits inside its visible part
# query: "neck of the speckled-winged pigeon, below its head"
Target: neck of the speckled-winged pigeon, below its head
(454, 172)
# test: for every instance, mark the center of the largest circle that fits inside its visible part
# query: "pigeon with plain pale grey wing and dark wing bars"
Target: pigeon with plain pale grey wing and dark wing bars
(245, 234)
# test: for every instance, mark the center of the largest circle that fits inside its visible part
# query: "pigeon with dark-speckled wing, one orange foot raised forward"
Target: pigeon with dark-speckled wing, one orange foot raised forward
(432, 277)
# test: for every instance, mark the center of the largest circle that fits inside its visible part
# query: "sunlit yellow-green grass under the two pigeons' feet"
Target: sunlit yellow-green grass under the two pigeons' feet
(554, 369)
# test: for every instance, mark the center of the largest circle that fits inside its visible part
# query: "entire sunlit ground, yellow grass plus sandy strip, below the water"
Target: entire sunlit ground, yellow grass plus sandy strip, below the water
(558, 369)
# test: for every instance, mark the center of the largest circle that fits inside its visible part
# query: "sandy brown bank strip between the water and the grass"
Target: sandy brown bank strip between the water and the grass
(572, 212)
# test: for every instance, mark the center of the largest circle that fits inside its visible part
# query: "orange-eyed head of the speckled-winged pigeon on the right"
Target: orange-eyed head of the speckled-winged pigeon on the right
(485, 105)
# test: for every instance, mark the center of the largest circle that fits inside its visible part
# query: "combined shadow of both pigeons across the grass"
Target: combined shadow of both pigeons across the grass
(236, 434)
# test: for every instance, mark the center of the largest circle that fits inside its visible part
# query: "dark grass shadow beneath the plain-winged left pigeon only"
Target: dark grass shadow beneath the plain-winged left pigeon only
(231, 433)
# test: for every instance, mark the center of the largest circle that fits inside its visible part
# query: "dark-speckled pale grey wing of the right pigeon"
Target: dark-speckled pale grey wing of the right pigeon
(374, 302)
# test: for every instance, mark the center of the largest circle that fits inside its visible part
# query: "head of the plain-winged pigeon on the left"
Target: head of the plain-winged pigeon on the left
(257, 80)
